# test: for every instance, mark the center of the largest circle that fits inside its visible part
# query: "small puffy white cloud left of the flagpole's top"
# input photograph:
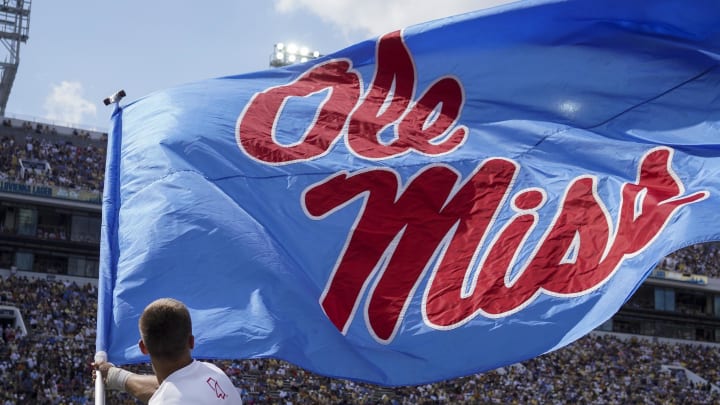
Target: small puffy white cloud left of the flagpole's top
(66, 104)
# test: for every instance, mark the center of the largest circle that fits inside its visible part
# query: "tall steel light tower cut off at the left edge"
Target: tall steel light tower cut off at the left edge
(14, 27)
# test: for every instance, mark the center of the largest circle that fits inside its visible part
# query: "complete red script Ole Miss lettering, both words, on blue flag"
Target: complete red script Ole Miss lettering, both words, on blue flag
(439, 218)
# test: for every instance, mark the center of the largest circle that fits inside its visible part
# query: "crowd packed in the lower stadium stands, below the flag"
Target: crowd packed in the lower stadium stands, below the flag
(51, 365)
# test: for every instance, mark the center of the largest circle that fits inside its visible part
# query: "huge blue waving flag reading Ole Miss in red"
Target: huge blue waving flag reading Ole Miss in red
(446, 199)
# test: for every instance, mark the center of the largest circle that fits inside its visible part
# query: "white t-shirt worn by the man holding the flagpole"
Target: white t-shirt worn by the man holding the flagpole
(198, 383)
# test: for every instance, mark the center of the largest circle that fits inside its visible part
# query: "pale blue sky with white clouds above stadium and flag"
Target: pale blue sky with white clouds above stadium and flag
(81, 51)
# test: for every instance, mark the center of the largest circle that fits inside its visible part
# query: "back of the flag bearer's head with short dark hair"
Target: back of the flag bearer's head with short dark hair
(165, 328)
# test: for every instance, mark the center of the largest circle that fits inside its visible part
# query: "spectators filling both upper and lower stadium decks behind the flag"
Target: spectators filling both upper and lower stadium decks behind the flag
(51, 364)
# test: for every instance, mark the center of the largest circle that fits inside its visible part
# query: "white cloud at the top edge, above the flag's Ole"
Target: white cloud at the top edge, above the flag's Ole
(377, 17)
